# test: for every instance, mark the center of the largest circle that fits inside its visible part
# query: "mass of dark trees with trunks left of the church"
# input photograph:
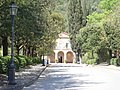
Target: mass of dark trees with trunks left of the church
(37, 26)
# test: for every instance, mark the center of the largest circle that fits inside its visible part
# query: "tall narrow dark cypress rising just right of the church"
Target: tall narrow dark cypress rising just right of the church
(75, 20)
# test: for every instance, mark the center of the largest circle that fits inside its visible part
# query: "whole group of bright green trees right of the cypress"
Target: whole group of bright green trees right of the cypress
(100, 36)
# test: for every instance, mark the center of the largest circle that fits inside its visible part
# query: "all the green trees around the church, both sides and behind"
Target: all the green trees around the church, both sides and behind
(93, 26)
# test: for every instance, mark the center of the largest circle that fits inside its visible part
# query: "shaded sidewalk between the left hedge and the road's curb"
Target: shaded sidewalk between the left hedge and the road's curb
(24, 77)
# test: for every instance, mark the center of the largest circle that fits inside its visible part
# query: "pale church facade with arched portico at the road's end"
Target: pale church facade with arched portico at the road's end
(63, 52)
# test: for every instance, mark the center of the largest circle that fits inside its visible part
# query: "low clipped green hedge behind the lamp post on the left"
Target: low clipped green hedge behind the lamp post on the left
(19, 61)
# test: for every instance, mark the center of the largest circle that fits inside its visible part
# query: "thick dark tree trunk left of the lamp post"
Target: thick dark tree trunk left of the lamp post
(5, 45)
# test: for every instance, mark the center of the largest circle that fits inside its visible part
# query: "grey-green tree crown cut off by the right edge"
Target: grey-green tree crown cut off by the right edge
(112, 29)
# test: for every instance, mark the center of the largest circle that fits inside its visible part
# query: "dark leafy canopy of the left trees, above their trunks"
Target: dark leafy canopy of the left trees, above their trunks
(34, 24)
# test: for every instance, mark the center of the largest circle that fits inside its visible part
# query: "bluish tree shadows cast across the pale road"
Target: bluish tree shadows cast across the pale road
(58, 78)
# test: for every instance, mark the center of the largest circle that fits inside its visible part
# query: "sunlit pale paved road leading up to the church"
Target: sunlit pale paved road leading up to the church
(77, 77)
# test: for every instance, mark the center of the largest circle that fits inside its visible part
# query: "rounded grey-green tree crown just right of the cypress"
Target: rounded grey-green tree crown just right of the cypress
(91, 37)
